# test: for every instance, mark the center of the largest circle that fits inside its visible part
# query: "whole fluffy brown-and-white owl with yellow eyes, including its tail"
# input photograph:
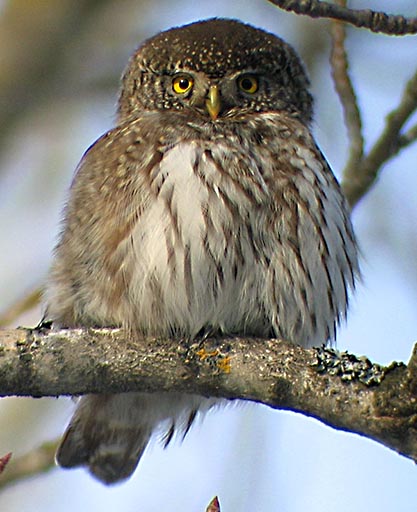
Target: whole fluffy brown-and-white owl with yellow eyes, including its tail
(207, 209)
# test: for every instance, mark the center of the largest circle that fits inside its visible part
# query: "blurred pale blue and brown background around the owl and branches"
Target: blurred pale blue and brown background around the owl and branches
(60, 64)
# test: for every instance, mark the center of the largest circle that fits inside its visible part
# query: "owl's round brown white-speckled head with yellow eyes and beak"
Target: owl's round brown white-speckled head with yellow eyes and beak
(215, 70)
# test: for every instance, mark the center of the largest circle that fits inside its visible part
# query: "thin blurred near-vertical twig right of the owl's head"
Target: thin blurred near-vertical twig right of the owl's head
(343, 84)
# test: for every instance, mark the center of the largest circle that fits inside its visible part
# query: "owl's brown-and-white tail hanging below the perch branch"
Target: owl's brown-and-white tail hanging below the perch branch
(109, 433)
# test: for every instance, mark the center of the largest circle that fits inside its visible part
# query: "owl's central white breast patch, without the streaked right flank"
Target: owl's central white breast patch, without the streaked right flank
(199, 259)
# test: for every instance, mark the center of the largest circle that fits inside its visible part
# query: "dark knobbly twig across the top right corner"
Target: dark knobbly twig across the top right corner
(389, 24)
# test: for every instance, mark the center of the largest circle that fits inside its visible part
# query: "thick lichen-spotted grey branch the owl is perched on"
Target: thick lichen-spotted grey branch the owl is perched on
(343, 391)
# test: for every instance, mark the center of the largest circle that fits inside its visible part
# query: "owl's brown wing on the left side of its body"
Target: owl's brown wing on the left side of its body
(89, 276)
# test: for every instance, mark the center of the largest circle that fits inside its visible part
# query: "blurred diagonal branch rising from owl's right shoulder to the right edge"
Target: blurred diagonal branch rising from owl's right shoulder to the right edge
(358, 181)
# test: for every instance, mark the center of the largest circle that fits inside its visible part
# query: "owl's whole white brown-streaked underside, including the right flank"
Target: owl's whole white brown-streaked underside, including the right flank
(235, 242)
